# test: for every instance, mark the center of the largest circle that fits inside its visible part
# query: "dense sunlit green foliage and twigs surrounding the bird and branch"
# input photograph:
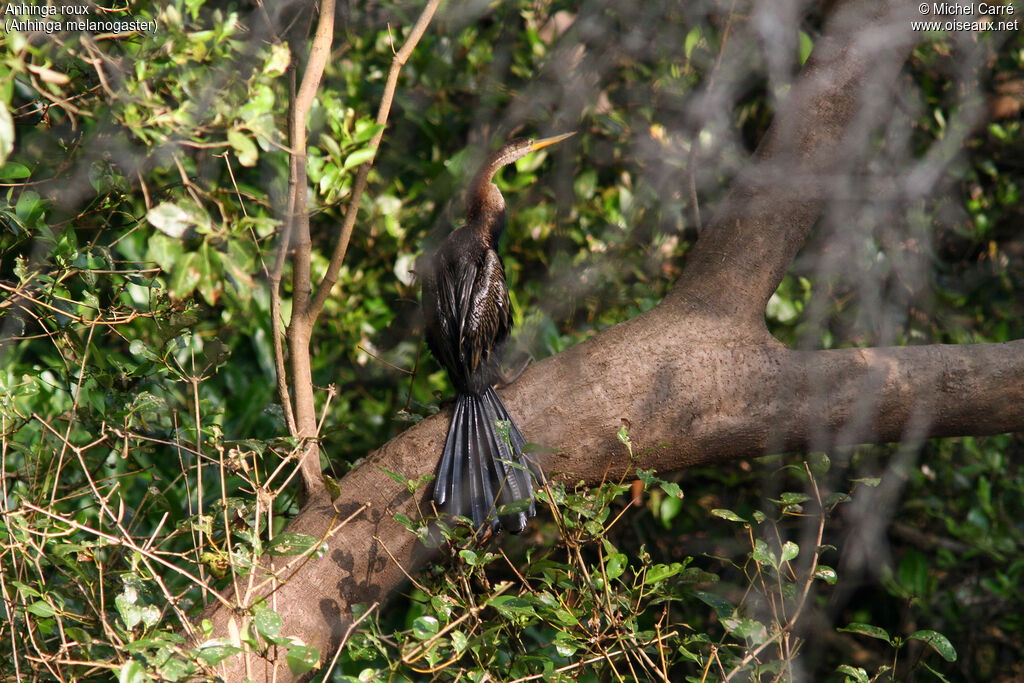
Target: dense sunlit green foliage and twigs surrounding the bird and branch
(146, 461)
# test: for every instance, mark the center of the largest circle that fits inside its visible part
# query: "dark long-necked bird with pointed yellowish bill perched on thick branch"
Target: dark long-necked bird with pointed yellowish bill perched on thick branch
(468, 319)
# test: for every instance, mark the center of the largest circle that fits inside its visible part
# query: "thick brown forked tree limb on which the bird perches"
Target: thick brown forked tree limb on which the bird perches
(699, 377)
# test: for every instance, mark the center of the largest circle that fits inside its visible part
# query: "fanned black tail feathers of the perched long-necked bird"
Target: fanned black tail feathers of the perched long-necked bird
(484, 466)
